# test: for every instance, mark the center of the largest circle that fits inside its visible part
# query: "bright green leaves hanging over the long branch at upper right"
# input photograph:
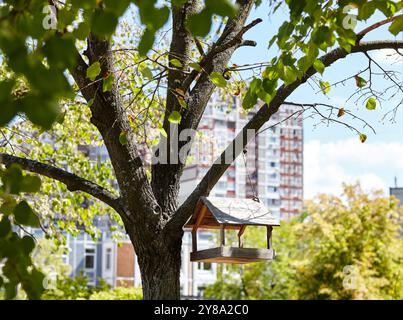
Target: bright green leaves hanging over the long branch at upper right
(315, 27)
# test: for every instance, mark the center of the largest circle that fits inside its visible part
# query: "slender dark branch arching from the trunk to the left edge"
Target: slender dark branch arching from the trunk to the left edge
(72, 181)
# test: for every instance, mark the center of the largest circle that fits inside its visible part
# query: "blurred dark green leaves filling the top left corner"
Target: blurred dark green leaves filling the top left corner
(32, 33)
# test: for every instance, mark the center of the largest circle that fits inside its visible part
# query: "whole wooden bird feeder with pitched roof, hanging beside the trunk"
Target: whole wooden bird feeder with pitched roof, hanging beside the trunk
(230, 214)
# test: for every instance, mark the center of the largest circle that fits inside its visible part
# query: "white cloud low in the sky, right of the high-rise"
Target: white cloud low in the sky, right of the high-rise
(329, 164)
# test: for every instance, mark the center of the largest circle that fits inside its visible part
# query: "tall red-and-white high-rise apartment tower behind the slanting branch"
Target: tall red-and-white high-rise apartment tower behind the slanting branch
(272, 167)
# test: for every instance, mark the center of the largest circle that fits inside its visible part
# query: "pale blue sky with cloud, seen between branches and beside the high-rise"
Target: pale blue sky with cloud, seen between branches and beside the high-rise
(334, 154)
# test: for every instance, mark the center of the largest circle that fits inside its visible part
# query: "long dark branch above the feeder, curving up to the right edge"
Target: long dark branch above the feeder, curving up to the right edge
(258, 120)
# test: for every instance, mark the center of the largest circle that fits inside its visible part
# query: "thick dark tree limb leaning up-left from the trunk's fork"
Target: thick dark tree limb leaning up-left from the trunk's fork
(108, 115)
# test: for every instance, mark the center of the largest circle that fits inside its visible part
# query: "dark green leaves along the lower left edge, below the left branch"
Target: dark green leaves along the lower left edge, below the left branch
(15, 250)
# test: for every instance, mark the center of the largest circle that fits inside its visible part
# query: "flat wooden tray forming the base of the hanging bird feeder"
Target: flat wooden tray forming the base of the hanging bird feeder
(232, 255)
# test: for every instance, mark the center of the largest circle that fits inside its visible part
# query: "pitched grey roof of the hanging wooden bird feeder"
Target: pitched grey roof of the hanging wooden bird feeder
(212, 212)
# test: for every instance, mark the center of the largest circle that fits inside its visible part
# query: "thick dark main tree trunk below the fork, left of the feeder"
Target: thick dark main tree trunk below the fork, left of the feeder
(160, 265)
